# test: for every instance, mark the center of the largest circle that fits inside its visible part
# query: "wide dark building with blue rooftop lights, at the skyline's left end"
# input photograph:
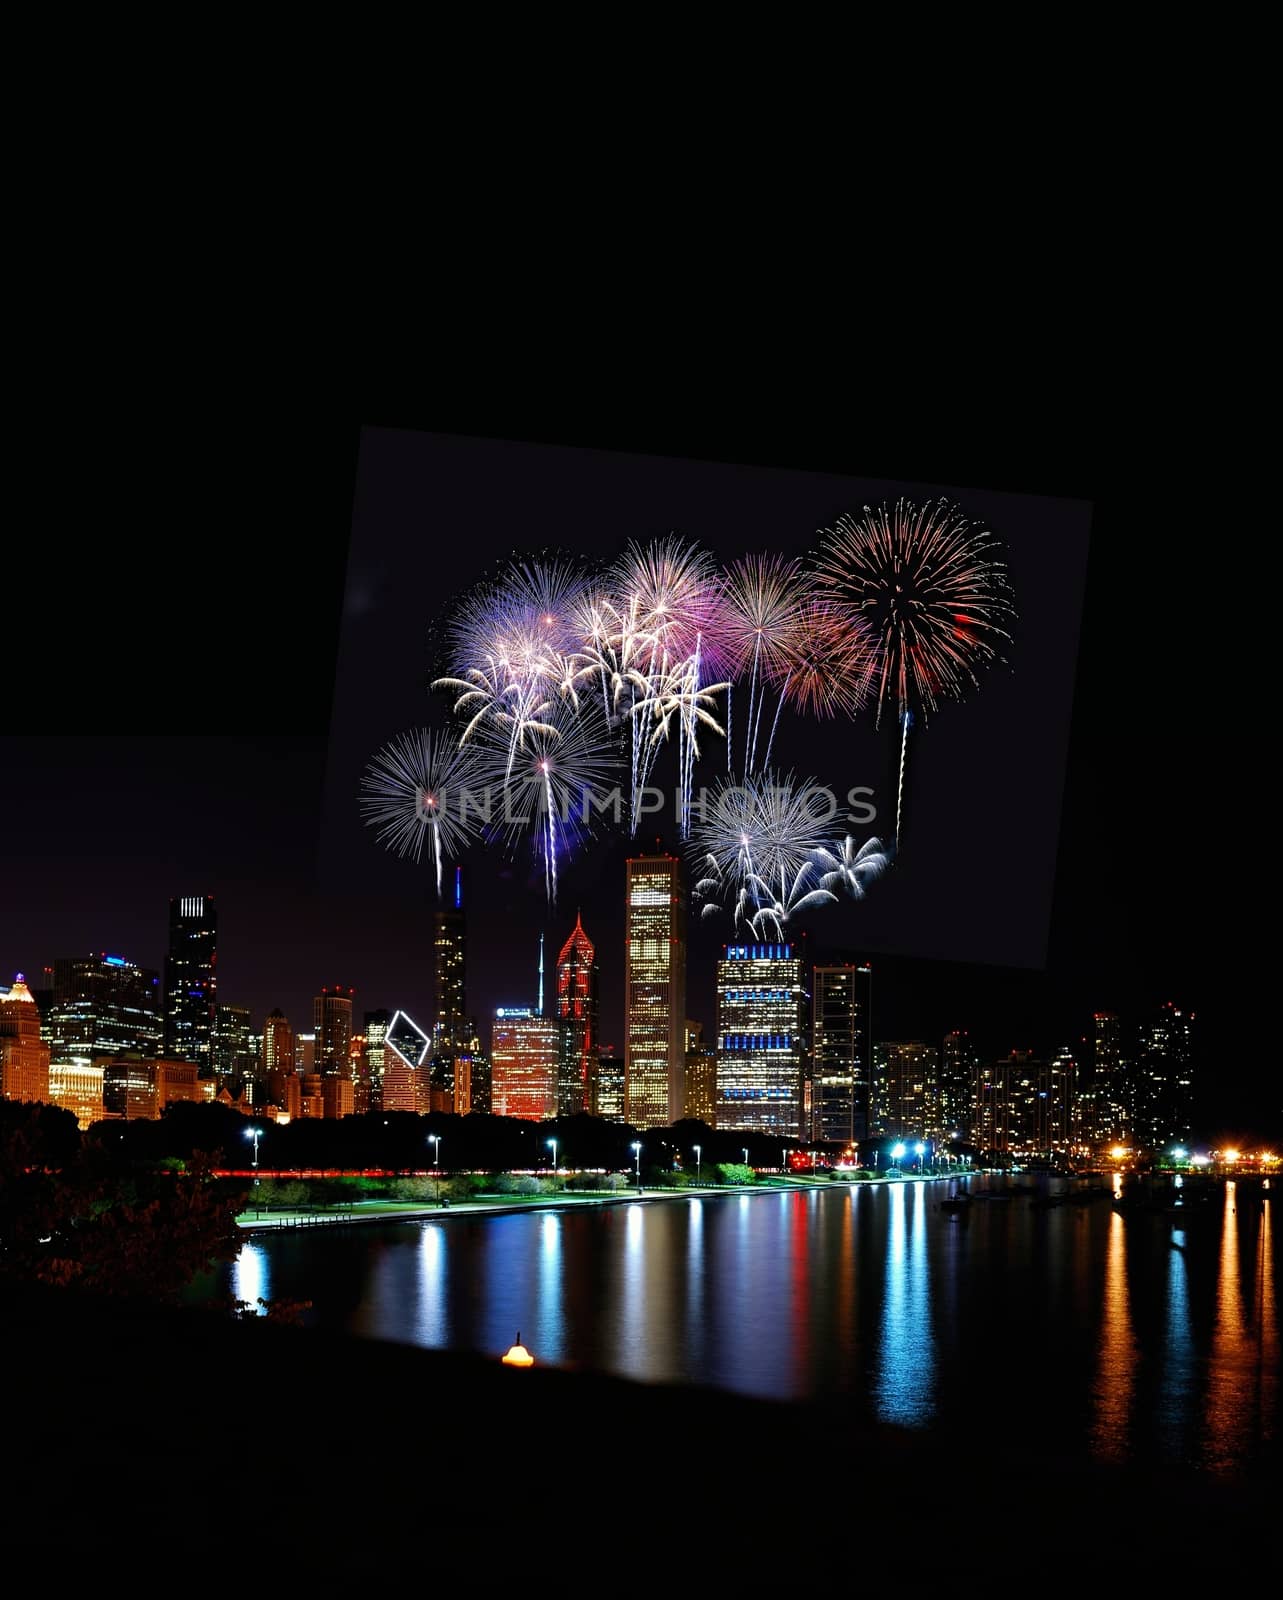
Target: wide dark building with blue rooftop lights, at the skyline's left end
(103, 1006)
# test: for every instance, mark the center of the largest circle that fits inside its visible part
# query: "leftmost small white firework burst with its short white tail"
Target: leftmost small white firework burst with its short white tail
(418, 788)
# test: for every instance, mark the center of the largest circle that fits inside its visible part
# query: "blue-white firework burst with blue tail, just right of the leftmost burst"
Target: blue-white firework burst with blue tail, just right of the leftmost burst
(554, 786)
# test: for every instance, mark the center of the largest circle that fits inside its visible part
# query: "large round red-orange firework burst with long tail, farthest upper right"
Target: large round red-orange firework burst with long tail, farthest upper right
(933, 591)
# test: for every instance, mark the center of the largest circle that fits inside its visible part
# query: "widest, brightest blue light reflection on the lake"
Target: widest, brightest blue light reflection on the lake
(906, 1358)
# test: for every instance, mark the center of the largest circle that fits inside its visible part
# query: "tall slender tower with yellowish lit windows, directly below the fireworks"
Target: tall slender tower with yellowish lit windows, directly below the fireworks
(655, 991)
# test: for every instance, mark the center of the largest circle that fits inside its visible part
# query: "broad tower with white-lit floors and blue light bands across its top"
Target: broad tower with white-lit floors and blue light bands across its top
(762, 1047)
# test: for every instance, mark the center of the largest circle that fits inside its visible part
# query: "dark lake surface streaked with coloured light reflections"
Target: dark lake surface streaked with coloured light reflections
(1127, 1337)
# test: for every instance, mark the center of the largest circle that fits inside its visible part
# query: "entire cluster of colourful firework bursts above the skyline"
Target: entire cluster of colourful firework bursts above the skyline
(562, 678)
